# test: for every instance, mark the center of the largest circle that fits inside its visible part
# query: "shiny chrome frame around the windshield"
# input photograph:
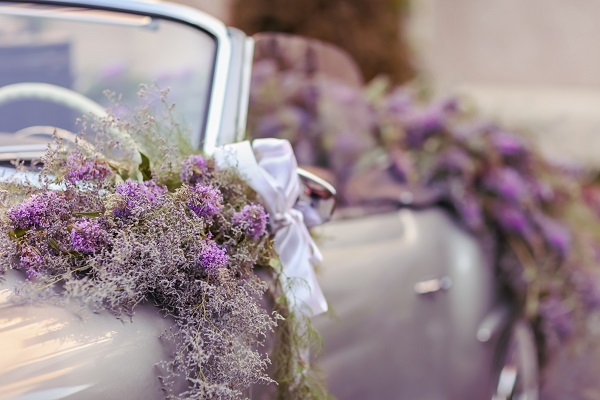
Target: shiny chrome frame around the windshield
(186, 15)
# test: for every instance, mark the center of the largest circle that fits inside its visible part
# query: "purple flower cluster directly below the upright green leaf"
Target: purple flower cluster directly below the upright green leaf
(138, 196)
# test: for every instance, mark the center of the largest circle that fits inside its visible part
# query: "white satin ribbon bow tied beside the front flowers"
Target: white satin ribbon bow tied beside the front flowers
(269, 166)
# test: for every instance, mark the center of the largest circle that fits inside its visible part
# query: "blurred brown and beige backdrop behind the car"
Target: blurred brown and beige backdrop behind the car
(531, 65)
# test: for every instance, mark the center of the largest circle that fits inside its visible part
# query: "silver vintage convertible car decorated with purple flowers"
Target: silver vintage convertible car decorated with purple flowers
(436, 325)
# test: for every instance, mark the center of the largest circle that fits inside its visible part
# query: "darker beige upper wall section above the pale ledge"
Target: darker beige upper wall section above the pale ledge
(512, 41)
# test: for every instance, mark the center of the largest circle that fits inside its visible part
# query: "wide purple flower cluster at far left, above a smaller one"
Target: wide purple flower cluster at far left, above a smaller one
(39, 210)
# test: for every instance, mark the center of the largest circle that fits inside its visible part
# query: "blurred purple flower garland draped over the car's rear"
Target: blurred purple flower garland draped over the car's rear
(496, 184)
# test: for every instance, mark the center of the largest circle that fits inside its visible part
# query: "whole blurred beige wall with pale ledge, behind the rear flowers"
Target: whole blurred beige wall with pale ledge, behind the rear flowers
(531, 64)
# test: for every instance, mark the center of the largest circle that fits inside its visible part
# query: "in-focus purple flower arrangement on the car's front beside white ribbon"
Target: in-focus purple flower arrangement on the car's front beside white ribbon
(174, 230)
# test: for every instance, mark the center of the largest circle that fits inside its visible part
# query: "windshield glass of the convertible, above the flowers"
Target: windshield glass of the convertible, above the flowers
(60, 50)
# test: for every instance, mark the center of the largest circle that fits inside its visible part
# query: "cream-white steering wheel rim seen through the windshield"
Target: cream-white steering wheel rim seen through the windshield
(66, 97)
